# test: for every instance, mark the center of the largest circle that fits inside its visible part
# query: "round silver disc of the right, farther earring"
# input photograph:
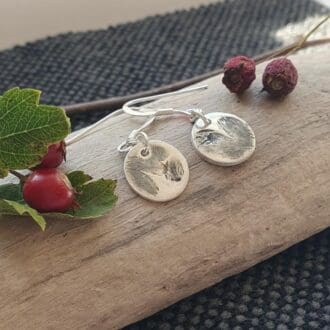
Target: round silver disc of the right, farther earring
(228, 140)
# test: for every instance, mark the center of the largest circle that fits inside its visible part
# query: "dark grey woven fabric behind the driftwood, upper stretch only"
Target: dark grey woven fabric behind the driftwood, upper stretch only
(78, 67)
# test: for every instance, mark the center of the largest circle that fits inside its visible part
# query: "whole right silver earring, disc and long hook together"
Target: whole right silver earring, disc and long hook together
(219, 138)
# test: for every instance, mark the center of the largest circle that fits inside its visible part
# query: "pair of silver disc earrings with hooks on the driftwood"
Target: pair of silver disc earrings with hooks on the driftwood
(159, 172)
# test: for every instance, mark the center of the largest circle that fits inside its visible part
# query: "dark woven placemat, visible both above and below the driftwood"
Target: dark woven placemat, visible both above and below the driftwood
(290, 291)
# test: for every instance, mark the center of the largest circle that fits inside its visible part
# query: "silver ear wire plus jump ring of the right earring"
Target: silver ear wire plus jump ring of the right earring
(134, 108)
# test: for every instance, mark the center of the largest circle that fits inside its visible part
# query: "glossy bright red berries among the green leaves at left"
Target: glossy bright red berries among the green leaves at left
(47, 189)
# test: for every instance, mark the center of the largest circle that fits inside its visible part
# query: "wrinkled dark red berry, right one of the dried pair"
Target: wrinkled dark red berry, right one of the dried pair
(280, 77)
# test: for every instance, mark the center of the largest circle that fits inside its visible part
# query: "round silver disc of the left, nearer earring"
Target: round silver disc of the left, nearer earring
(158, 173)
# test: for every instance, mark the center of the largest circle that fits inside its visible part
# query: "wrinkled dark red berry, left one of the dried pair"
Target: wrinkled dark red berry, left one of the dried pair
(239, 72)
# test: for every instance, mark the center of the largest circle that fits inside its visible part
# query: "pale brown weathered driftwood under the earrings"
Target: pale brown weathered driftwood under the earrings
(145, 256)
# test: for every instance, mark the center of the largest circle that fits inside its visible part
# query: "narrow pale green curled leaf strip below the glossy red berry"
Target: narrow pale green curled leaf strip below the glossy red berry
(8, 207)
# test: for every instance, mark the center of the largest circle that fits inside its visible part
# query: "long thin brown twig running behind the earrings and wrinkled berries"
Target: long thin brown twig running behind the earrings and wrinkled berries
(117, 102)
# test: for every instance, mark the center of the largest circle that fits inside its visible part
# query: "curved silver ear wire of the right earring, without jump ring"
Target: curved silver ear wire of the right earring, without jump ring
(132, 108)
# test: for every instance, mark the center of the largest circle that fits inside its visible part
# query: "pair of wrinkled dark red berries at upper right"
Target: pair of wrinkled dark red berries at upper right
(279, 78)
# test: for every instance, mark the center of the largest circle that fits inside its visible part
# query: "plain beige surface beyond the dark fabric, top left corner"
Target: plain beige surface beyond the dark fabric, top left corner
(27, 20)
